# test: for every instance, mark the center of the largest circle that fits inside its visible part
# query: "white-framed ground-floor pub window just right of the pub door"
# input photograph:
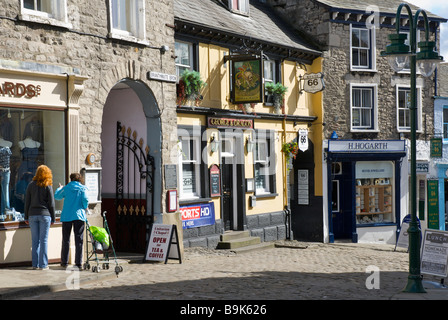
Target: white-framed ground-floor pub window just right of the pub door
(264, 168)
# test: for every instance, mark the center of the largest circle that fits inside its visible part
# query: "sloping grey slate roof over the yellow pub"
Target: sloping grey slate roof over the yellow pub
(262, 25)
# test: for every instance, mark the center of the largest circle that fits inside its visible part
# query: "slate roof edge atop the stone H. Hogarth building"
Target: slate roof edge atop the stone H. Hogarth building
(385, 6)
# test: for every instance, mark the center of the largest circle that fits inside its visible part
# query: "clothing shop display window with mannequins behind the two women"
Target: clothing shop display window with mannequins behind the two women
(29, 138)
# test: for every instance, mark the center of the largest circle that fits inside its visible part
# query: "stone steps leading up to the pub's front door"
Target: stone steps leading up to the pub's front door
(241, 241)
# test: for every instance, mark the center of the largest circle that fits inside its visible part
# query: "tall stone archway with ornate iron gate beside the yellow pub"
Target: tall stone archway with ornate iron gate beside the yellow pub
(133, 104)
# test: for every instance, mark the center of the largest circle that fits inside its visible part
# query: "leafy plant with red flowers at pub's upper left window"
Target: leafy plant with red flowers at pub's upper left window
(189, 88)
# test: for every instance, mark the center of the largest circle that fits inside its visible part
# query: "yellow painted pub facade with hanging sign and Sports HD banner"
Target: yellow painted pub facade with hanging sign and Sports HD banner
(247, 165)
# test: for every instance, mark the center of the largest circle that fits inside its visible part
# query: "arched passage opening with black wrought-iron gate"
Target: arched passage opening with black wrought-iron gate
(132, 104)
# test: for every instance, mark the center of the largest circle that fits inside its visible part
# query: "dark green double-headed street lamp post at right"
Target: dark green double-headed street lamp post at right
(398, 53)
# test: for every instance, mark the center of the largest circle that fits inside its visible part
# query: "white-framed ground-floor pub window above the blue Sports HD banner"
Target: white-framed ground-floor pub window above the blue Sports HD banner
(189, 167)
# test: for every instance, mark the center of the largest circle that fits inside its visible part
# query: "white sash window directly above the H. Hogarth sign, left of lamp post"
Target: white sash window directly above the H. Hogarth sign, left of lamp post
(363, 108)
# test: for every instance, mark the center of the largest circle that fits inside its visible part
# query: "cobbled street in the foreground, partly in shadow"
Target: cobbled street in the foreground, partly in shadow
(313, 271)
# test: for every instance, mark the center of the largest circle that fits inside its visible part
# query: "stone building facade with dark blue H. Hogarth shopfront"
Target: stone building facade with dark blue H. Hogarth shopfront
(352, 37)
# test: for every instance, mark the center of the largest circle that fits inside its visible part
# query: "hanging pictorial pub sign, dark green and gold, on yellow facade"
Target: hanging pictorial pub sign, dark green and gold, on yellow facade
(247, 80)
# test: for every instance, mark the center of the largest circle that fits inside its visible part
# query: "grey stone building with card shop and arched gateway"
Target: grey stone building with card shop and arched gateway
(92, 61)
